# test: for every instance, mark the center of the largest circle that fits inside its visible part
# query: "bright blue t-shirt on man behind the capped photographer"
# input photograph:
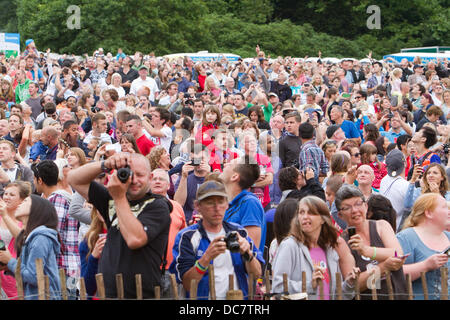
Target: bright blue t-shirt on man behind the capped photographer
(246, 210)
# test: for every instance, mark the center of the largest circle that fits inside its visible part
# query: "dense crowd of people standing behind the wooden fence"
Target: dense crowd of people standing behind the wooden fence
(136, 164)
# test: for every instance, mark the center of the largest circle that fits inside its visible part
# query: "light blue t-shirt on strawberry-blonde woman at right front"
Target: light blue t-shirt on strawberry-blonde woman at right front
(411, 243)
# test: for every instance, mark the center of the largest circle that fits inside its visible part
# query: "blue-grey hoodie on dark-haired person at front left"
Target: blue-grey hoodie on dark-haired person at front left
(42, 243)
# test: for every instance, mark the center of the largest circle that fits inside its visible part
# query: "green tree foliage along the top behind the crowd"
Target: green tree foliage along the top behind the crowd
(337, 28)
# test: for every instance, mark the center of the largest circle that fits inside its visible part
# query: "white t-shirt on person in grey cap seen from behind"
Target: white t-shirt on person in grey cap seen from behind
(395, 190)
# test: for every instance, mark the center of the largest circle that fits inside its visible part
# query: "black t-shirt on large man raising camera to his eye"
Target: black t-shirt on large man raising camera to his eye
(153, 211)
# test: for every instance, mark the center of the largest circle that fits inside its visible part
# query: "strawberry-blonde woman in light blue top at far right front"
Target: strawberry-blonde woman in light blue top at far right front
(425, 239)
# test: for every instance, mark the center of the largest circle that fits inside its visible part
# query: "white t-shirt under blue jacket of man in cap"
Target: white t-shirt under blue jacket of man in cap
(223, 267)
